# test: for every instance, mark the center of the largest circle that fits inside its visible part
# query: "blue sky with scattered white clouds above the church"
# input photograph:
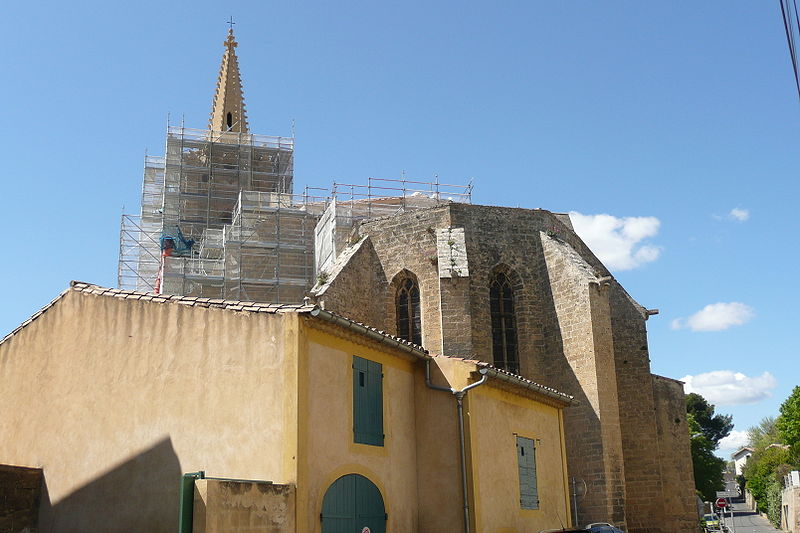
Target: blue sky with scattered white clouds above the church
(665, 116)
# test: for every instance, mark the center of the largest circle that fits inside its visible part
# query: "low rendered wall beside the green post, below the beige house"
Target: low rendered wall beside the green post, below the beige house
(233, 506)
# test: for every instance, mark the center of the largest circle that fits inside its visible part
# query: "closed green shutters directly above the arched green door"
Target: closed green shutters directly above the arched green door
(367, 402)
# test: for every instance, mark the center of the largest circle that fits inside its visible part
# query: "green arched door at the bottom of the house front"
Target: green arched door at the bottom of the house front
(351, 504)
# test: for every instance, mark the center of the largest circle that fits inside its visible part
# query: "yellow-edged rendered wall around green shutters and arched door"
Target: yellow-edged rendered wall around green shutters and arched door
(326, 444)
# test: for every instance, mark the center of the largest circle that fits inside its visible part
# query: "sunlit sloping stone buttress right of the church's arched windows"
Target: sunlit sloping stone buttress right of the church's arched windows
(594, 448)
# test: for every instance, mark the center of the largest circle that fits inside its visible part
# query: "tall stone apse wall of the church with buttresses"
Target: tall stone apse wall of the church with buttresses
(578, 331)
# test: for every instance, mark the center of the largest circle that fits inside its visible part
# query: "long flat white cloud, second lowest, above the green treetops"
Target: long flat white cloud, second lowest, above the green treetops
(725, 387)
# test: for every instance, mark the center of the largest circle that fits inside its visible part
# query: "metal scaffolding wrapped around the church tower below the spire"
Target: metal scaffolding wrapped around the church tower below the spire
(253, 239)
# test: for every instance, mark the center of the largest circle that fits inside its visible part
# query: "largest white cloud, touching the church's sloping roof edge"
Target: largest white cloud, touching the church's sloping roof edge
(618, 242)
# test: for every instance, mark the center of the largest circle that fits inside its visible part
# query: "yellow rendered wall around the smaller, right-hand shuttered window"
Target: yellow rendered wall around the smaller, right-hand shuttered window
(496, 418)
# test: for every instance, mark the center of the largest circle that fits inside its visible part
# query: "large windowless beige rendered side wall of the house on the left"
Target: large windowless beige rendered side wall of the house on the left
(114, 399)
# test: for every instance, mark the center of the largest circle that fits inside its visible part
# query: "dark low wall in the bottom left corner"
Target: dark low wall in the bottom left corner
(20, 494)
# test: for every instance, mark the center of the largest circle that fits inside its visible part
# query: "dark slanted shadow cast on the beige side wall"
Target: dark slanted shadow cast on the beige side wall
(141, 494)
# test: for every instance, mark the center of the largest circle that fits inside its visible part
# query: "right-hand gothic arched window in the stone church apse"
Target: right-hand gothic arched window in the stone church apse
(504, 324)
